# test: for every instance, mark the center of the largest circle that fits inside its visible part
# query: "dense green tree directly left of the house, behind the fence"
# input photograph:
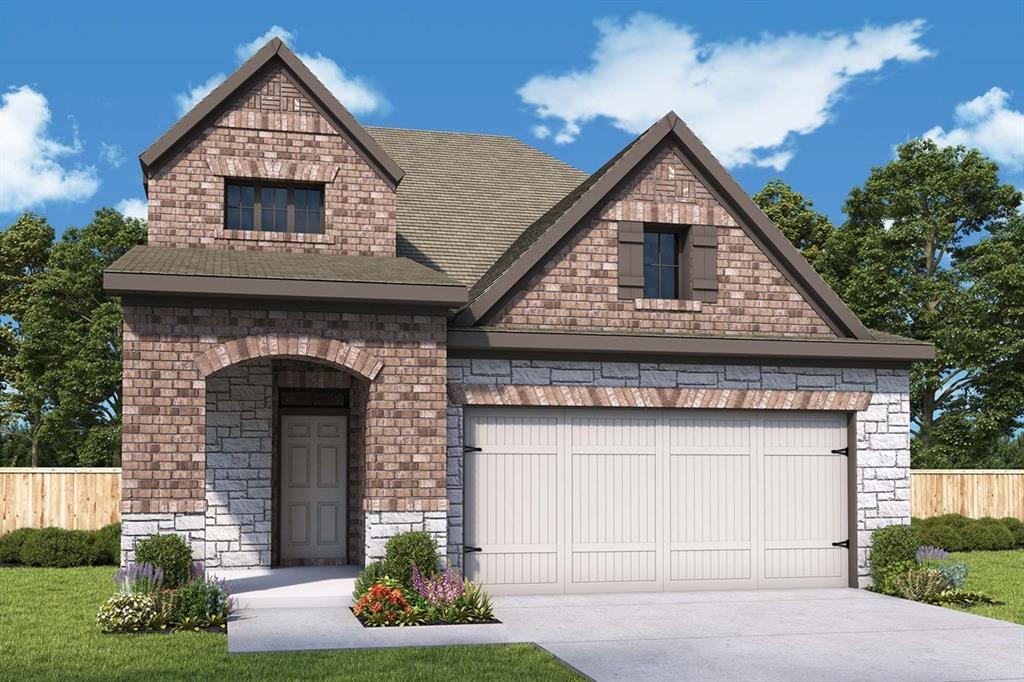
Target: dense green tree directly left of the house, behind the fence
(63, 376)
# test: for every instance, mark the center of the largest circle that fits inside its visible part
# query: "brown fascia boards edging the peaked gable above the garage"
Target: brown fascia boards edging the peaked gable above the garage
(779, 249)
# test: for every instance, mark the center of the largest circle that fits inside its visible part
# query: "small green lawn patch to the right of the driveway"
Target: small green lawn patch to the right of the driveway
(1001, 576)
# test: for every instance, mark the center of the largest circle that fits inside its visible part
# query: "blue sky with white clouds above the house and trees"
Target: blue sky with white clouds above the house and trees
(816, 94)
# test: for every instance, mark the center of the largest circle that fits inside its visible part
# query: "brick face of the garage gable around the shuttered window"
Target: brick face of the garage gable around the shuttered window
(578, 287)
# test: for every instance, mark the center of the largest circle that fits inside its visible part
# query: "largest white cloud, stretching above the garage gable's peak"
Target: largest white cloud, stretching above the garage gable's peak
(747, 100)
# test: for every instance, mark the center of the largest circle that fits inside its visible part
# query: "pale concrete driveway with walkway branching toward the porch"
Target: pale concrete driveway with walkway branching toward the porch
(829, 634)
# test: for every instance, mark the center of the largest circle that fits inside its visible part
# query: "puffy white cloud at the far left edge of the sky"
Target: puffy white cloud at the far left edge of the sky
(31, 173)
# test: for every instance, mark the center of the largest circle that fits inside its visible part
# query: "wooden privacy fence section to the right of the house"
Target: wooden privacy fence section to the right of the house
(973, 493)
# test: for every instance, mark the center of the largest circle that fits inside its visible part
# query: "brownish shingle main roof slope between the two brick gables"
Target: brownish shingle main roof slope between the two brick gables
(466, 198)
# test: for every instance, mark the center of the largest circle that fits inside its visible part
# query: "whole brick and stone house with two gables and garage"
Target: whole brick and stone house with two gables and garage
(628, 380)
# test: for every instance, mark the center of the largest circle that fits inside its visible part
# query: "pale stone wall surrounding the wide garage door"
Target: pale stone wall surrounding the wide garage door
(883, 430)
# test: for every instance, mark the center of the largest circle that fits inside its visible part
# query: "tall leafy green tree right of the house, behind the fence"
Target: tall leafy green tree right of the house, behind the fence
(932, 250)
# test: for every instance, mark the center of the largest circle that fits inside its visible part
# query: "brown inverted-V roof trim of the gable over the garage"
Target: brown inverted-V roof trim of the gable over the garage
(537, 244)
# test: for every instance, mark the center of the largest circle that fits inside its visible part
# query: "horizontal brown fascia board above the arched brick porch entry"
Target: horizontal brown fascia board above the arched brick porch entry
(137, 285)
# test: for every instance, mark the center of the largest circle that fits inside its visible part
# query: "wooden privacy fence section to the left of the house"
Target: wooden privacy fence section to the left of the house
(67, 498)
